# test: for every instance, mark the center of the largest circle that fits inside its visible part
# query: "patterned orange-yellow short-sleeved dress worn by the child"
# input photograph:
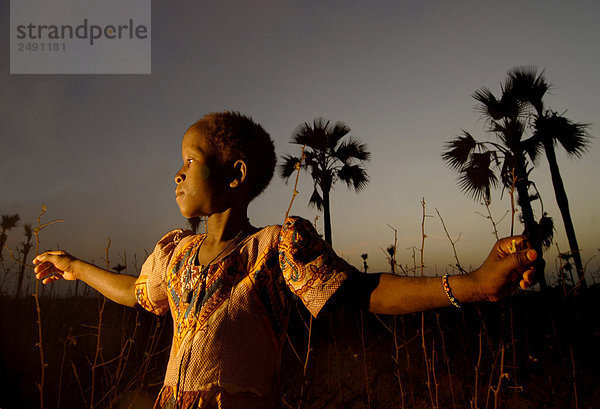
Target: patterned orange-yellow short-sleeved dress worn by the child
(229, 322)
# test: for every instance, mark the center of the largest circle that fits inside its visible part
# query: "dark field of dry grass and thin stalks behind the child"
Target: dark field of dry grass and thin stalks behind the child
(532, 350)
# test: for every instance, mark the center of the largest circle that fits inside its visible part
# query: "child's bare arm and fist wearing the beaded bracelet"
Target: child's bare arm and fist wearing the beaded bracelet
(509, 263)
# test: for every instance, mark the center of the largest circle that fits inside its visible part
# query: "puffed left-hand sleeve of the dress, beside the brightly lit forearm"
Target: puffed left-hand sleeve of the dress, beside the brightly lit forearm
(151, 286)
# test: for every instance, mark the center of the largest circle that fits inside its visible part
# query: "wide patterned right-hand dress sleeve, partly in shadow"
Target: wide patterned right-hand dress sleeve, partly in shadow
(309, 265)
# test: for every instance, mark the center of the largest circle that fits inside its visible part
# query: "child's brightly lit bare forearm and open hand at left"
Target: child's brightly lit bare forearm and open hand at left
(54, 265)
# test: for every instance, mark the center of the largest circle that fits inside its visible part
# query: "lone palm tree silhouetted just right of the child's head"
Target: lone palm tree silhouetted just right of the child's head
(329, 159)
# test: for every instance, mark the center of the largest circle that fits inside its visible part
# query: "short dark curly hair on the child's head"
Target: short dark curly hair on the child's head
(235, 136)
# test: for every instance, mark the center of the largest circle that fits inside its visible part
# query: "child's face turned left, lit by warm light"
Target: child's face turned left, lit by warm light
(200, 186)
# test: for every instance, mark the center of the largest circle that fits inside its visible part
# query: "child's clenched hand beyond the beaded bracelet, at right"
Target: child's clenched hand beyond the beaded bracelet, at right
(509, 265)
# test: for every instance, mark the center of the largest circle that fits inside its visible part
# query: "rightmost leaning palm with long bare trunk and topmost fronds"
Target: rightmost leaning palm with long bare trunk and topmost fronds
(550, 128)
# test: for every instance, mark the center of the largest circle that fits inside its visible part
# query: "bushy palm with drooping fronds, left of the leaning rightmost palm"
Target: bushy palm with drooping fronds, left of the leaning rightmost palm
(483, 165)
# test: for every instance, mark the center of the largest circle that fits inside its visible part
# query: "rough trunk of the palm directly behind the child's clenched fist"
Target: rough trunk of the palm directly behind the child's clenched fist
(531, 226)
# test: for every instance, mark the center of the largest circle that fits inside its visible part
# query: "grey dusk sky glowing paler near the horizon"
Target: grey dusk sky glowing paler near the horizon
(101, 150)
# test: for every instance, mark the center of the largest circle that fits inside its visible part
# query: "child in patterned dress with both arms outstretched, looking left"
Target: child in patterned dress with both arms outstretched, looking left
(229, 290)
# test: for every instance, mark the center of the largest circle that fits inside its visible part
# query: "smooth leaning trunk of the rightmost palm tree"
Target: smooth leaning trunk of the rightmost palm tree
(563, 205)
